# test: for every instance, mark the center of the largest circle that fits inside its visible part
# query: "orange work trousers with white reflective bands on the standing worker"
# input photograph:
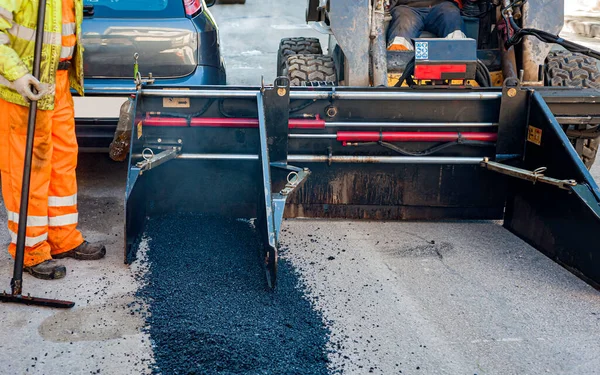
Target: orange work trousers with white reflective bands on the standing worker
(52, 217)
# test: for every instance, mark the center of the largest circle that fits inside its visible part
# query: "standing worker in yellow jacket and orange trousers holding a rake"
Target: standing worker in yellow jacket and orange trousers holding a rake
(52, 221)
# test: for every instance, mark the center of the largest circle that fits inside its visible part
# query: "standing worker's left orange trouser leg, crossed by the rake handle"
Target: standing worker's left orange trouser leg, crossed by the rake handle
(13, 136)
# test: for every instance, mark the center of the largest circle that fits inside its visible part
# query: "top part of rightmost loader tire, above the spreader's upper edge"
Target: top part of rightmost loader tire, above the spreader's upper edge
(569, 69)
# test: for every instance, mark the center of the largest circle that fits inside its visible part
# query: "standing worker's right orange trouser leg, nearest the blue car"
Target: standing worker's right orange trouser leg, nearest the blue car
(62, 193)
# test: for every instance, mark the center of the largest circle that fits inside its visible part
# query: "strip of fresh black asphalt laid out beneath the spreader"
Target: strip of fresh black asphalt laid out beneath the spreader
(209, 310)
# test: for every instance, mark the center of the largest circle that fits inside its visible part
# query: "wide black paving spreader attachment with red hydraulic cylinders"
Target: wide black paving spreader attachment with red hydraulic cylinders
(434, 152)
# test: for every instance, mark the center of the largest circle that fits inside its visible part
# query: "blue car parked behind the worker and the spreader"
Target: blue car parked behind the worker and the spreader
(177, 43)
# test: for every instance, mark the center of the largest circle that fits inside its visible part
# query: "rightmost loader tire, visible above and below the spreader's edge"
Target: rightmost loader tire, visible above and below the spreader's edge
(568, 69)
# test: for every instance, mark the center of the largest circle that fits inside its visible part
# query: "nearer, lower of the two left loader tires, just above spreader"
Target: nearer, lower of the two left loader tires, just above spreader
(305, 70)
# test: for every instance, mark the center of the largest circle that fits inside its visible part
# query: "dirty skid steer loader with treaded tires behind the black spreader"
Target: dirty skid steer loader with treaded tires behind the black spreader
(357, 54)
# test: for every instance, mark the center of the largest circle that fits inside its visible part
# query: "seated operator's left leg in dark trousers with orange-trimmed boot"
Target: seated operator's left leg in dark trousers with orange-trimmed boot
(407, 23)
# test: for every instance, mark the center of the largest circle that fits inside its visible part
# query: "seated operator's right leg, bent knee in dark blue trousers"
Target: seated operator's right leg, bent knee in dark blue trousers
(445, 21)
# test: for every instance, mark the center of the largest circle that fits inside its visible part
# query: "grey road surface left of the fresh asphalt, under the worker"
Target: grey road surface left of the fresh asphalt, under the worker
(99, 335)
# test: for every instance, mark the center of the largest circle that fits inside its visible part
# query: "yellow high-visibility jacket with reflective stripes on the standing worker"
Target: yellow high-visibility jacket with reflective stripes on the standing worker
(18, 21)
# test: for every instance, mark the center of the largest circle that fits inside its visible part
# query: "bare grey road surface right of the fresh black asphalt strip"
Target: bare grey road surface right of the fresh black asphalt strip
(444, 298)
